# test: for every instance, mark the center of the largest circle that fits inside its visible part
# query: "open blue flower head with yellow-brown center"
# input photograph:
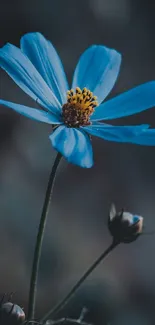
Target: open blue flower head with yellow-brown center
(75, 113)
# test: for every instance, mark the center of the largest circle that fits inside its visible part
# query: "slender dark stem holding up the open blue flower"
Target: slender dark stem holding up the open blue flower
(39, 240)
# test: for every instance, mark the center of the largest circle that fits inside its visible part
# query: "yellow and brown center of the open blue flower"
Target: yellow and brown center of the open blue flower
(80, 105)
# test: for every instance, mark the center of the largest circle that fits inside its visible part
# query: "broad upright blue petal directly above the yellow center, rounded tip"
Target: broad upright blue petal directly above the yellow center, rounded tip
(97, 70)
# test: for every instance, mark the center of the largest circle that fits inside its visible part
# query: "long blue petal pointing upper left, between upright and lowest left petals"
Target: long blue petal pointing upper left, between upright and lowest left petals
(22, 71)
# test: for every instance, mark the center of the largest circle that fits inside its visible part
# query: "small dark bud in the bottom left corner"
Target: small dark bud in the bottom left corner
(11, 314)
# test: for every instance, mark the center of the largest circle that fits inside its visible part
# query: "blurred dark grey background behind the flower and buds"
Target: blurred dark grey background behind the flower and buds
(77, 232)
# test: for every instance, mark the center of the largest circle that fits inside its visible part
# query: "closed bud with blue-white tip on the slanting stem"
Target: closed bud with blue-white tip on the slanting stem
(124, 226)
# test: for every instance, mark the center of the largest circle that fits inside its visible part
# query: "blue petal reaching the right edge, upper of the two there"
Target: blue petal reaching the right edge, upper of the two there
(131, 102)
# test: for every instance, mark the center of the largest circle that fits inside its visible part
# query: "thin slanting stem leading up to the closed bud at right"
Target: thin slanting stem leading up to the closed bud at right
(52, 312)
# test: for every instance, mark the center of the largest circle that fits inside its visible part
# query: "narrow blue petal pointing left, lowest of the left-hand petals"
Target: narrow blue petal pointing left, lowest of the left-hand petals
(33, 113)
